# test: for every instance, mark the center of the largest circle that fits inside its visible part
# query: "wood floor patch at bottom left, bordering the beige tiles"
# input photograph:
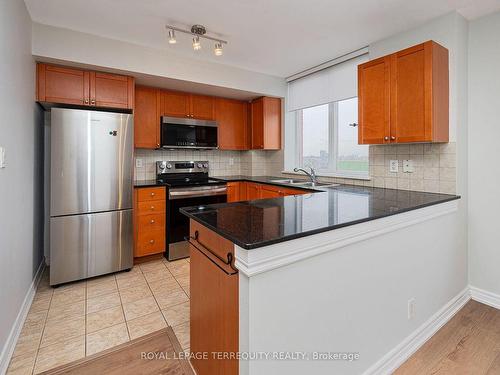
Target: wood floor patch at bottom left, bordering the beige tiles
(127, 359)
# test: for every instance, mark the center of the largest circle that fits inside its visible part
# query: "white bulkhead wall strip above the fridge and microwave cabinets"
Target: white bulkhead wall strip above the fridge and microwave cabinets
(63, 44)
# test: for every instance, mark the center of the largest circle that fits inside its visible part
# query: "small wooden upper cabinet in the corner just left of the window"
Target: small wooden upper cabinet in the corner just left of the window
(266, 123)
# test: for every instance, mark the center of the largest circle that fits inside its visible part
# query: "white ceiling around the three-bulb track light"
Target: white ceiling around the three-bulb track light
(277, 37)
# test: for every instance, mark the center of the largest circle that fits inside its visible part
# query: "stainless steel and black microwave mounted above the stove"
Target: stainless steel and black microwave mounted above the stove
(176, 132)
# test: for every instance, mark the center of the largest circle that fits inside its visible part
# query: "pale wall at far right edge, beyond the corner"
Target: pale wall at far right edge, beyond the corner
(484, 153)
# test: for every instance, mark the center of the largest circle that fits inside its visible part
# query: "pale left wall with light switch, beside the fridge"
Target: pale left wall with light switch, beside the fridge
(21, 189)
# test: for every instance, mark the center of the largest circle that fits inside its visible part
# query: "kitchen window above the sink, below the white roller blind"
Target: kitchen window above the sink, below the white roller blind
(327, 139)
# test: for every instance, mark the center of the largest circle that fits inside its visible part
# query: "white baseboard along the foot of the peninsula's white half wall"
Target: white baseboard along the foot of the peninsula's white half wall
(397, 356)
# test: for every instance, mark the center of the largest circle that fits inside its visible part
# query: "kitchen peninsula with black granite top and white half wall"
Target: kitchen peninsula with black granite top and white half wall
(316, 267)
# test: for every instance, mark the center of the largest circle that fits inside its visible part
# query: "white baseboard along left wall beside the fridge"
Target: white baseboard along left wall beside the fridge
(10, 344)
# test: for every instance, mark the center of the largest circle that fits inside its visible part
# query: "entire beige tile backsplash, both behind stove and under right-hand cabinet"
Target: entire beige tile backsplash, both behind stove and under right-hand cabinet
(434, 165)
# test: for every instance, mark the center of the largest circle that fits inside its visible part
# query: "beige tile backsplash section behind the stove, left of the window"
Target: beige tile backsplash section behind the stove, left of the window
(222, 163)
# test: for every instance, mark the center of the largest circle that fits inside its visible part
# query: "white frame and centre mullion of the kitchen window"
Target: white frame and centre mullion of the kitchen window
(333, 149)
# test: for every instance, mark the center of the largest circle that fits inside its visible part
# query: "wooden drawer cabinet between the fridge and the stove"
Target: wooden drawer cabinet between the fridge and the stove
(149, 221)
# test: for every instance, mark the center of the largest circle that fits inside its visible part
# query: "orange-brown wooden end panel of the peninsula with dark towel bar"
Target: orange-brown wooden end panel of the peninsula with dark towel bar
(214, 305)
